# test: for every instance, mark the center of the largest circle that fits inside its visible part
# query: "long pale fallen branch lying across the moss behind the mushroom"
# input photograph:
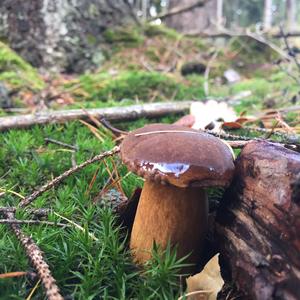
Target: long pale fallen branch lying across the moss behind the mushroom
(126, 113)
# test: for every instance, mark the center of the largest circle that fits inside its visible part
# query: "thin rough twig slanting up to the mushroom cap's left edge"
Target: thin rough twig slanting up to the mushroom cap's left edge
(27, 200)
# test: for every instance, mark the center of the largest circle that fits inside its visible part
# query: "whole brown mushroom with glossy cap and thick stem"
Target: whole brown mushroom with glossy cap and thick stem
(177, 164)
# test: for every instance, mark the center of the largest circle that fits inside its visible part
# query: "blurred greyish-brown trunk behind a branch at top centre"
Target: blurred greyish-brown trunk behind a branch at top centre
(196, 20)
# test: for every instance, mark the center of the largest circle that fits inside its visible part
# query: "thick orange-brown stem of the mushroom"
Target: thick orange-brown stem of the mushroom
(168, 213)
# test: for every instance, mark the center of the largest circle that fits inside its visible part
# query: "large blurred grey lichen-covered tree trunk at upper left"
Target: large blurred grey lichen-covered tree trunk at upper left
(59, 34)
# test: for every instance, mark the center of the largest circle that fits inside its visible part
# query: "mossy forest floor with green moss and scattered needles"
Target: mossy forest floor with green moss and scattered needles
(157, 64)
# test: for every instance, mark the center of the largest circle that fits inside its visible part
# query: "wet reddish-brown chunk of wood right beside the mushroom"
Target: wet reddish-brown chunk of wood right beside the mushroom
(258, 224)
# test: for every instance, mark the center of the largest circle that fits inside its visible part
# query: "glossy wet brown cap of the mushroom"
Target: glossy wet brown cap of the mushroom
(178, 155)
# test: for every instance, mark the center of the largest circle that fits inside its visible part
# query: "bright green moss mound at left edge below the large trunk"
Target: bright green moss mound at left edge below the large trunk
(16, 72)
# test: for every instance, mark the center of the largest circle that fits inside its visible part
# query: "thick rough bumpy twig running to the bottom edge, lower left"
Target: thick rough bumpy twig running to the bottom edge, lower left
(35, 255)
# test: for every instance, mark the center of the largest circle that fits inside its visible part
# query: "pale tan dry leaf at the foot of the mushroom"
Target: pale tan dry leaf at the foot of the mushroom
(209, 281)
